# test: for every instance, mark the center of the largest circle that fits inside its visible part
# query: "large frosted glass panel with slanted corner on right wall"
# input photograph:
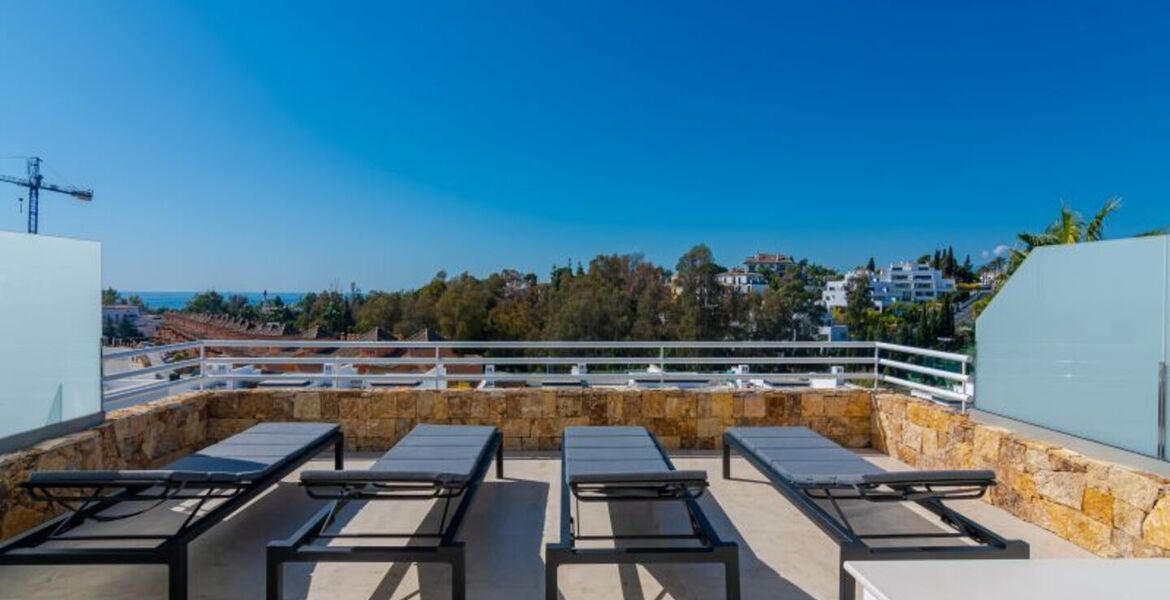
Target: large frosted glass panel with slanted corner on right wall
(1073, 342)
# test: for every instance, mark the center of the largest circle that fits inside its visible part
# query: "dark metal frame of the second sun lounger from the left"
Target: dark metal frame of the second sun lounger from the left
(300, 548)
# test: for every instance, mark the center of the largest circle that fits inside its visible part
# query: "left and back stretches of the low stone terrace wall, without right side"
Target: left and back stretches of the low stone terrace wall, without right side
(157, 433)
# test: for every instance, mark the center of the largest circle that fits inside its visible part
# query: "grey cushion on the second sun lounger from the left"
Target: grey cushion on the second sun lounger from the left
(444, 454)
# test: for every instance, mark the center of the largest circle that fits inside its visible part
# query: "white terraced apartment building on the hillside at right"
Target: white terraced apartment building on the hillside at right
(899, 282)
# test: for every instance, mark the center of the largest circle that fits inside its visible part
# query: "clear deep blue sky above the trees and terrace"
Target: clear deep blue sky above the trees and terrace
(293, 147)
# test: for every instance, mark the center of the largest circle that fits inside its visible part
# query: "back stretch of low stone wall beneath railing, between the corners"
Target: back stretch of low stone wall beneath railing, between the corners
(533, 419)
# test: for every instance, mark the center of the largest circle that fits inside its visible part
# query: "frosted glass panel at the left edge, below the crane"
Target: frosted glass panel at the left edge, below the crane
(51, 328)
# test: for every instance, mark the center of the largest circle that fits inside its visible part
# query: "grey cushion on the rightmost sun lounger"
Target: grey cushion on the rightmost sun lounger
(806, 458)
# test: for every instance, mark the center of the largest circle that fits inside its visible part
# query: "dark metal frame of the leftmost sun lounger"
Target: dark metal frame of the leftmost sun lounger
(171, 549)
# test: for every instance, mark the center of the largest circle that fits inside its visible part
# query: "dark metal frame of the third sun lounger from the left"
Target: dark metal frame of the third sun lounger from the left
(566, 553)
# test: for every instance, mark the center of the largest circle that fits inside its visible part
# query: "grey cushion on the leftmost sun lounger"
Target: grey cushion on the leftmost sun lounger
(243, 458)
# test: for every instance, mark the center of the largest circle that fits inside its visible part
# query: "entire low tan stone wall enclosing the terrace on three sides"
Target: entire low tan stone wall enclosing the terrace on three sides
(1105, 508)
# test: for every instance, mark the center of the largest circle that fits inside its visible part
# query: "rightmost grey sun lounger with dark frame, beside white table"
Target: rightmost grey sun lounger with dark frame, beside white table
(863, 507)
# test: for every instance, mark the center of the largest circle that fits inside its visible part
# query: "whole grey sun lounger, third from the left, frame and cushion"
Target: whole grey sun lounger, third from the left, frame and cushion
(629, 465)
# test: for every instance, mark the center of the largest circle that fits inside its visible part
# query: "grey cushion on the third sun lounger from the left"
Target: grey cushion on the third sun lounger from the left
(621, 457)
